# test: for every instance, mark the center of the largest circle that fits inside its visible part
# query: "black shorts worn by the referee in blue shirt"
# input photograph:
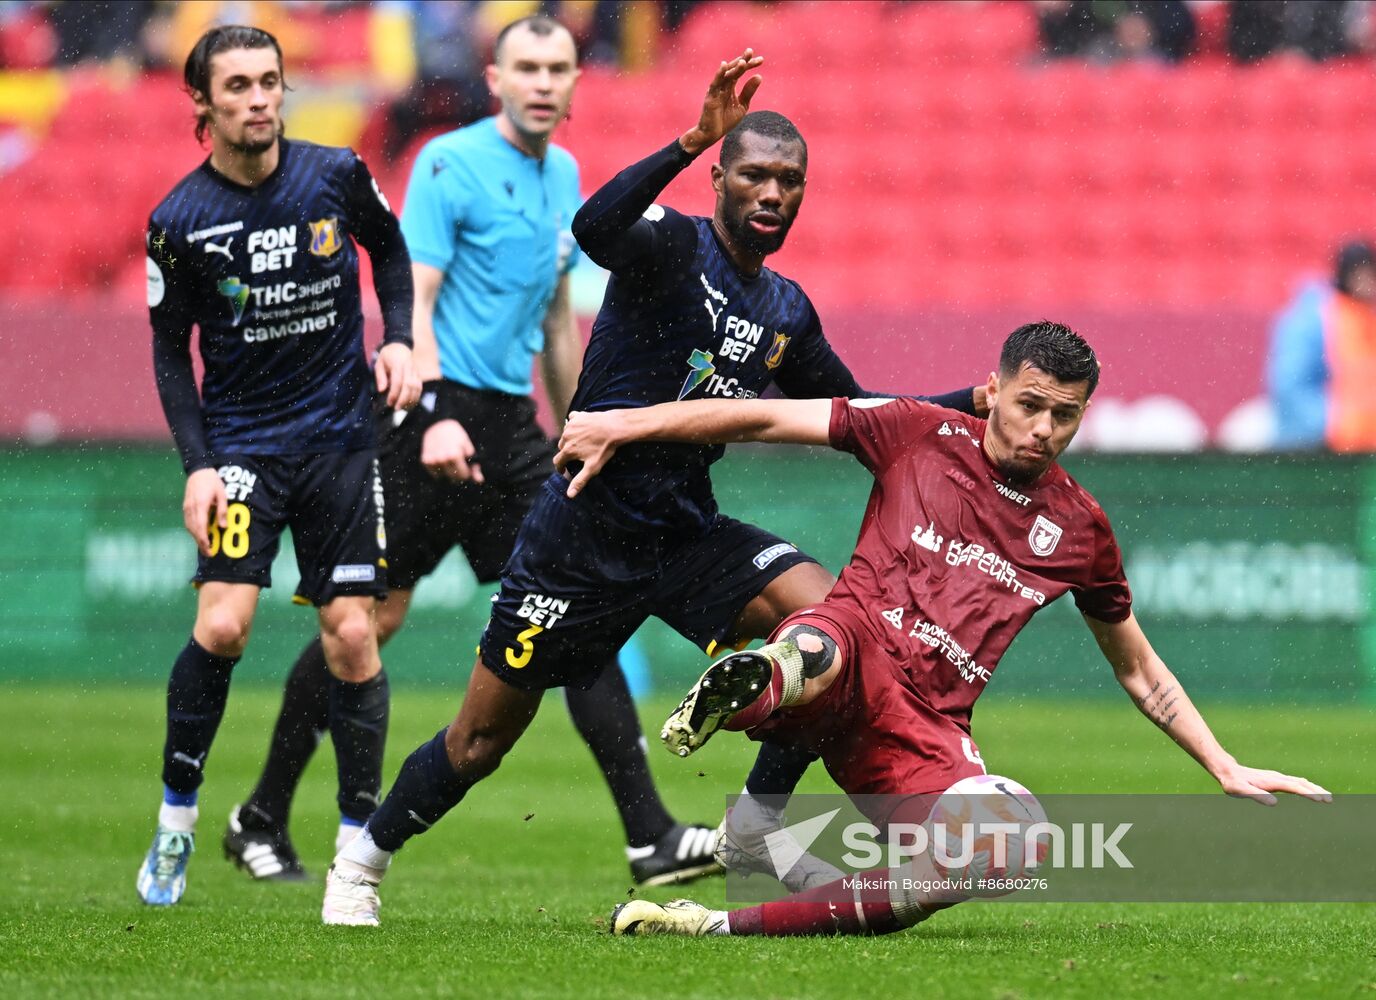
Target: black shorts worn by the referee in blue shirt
(427, 517)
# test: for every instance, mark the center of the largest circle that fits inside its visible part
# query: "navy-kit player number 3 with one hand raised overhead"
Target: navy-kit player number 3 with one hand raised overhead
(690, 313)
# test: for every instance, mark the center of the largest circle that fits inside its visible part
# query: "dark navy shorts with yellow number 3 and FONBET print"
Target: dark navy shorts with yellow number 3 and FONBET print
(581, 583)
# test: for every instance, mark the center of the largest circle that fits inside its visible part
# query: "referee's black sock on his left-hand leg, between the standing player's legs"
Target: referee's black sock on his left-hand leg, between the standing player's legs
(301, 726)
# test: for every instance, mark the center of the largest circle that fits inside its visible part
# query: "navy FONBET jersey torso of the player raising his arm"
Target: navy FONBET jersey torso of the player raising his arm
(683, 323)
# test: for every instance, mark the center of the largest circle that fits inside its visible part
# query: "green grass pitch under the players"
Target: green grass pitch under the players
(510, 896)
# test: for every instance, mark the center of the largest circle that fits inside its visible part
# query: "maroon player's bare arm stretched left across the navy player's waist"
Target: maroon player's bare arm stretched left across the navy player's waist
(594, 438)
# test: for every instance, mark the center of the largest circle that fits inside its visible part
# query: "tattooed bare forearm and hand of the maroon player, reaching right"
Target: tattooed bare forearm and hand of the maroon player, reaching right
(1159, 695)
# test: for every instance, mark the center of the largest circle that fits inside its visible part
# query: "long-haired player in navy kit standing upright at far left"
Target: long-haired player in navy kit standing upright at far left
(254, 248)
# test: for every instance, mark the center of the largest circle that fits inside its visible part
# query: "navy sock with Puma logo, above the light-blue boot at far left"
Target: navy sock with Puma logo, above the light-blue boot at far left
(197, 693)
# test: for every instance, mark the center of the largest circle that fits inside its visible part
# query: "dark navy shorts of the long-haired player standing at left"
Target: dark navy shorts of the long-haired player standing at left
(334, 506)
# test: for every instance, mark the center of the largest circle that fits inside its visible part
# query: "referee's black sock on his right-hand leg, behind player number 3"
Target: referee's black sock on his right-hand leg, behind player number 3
(606, 717)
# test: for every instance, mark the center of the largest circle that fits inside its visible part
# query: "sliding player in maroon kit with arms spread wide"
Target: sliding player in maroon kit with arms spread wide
(972, 528)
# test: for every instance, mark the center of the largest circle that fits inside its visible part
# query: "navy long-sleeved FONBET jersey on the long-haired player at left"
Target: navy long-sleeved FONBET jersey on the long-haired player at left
(270, 277)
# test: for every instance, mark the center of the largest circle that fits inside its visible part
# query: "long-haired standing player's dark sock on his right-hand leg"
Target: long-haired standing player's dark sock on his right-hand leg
(358, 730)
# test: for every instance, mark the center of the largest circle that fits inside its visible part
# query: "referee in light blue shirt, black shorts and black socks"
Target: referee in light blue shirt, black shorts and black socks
(488, 225)
